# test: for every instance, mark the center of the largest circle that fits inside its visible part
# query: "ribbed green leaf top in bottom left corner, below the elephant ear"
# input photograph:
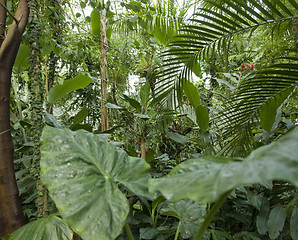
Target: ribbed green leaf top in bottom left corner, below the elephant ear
(51, 227)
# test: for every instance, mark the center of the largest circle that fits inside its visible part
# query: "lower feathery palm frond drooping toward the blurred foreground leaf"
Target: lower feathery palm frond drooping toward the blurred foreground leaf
(258, 95)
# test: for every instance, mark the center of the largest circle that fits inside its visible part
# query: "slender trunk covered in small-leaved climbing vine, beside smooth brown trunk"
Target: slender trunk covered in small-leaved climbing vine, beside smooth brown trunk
(36, 100)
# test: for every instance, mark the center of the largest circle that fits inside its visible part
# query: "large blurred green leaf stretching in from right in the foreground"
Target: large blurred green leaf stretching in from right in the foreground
(207, 178)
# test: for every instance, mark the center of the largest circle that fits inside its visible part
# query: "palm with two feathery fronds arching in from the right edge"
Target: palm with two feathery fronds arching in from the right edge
(212, 29)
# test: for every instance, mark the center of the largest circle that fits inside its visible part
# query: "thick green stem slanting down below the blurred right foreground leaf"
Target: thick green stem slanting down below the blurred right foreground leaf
(211, 214)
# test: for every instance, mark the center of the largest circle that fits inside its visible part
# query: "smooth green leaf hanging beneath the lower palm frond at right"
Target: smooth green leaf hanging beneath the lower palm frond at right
(268, 110)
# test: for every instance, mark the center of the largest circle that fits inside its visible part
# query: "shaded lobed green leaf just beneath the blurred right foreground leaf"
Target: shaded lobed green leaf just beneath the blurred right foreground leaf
(190, 213)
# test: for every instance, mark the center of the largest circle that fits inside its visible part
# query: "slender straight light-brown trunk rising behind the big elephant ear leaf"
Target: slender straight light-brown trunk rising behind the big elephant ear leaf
(104, 71)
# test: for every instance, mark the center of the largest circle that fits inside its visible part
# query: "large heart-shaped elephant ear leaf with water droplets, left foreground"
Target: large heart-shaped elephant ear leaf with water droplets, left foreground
(82, 172)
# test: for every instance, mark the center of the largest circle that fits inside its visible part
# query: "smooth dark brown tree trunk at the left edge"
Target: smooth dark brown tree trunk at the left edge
(11, 215)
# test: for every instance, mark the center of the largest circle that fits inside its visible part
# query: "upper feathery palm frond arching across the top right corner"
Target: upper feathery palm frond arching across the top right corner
(211, 30)
